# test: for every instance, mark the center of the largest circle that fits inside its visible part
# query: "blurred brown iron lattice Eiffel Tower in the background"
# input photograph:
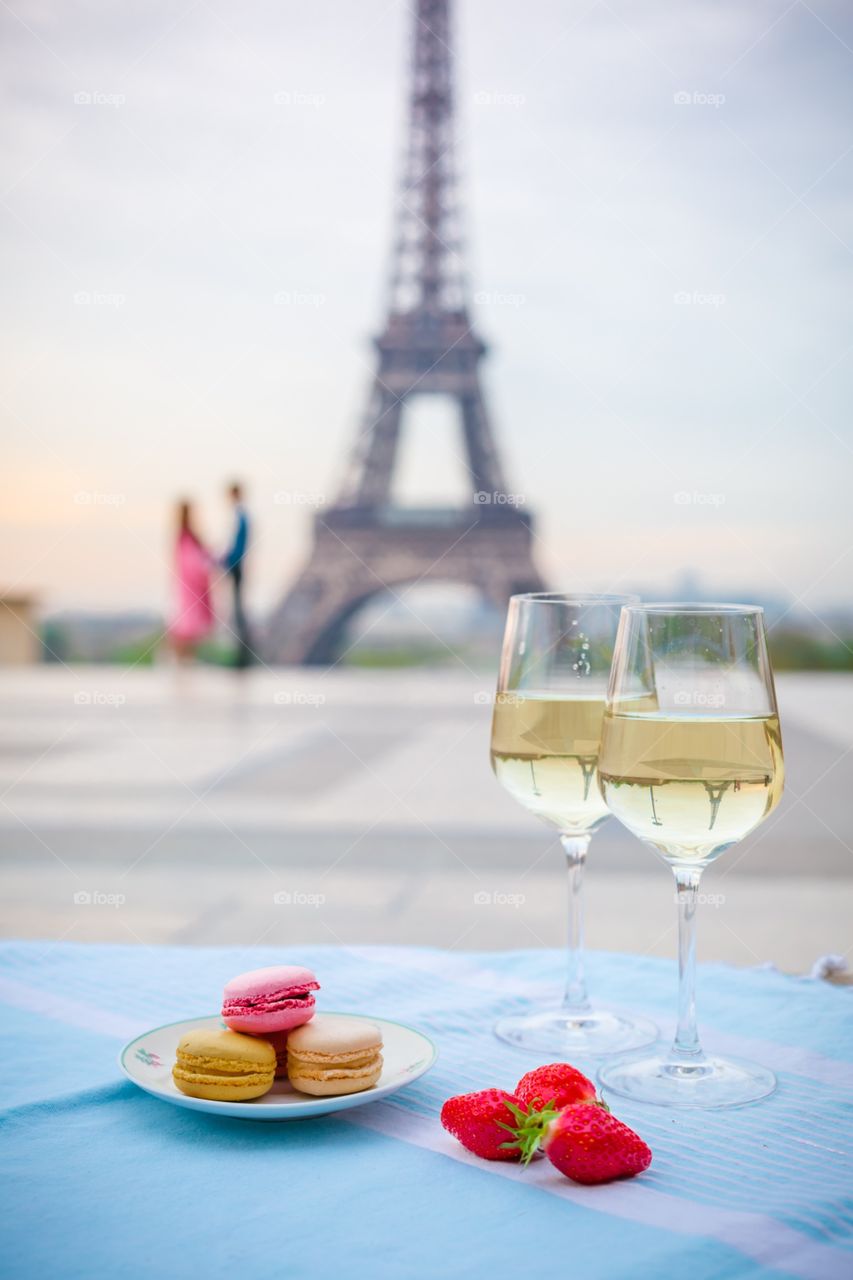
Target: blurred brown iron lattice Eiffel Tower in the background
(363, 543)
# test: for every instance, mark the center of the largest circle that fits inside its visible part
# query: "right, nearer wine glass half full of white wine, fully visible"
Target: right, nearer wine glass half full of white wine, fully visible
(691, 762)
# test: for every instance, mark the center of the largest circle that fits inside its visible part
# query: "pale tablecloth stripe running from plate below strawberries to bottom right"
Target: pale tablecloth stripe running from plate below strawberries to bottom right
(756, 1236)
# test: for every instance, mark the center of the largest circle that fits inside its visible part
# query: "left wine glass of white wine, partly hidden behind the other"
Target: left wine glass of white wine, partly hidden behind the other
(546, 732)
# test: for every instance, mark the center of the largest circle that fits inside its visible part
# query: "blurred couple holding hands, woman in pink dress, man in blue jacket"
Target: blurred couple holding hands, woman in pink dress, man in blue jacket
(194, 568)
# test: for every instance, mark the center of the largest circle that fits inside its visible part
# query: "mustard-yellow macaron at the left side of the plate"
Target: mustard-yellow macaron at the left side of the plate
(223, 1066)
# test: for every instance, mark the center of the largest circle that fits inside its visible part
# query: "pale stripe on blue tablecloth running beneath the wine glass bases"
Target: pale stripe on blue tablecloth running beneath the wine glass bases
(779, 1058)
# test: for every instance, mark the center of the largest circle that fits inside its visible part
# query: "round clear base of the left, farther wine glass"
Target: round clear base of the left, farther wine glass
(563, 1034)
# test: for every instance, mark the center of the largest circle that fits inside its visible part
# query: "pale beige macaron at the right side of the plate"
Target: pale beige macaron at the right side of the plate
(335, 1055)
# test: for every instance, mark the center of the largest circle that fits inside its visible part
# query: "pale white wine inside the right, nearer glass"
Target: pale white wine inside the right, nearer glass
(691, 787)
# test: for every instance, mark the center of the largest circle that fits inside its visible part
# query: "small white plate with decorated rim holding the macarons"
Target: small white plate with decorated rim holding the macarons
(148, 1062)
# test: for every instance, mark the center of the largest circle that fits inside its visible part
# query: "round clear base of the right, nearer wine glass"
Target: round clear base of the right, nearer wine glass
(705, 1084)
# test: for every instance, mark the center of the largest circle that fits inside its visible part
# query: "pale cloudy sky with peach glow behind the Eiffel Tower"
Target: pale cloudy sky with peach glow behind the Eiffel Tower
(197, 221)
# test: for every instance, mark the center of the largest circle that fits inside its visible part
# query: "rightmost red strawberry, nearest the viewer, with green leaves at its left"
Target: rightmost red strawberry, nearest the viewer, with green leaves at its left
(591, 1146)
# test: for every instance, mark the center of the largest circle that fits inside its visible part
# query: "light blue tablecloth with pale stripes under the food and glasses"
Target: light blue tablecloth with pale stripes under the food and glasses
(102, 1181)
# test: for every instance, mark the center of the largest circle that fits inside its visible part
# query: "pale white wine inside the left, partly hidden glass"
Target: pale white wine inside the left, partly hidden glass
(545, 752)
